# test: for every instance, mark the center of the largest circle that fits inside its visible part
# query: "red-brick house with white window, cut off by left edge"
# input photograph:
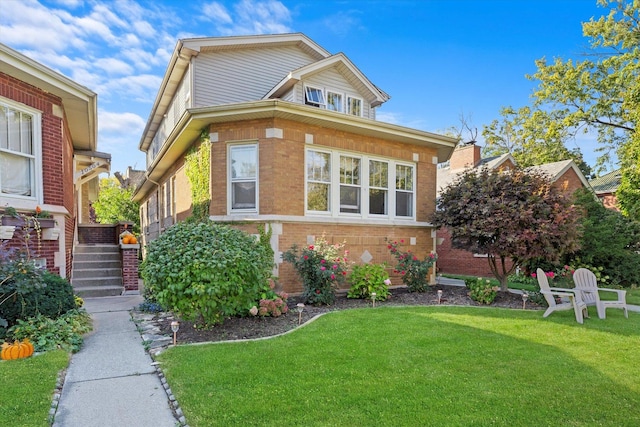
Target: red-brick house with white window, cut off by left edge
(47, 152)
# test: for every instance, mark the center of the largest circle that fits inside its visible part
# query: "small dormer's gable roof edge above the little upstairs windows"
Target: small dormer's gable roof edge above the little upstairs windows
(344, 66)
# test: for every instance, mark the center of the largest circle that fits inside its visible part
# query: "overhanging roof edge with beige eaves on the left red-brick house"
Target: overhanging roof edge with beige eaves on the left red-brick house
(80, 103)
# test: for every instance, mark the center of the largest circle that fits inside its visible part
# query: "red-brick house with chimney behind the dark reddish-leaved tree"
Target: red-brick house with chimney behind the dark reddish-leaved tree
(566, 177)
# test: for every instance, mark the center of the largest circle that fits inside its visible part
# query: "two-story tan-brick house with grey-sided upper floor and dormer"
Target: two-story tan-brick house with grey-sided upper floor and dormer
(301, 124)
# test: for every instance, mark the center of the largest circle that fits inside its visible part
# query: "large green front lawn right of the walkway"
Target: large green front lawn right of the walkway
(427, 366)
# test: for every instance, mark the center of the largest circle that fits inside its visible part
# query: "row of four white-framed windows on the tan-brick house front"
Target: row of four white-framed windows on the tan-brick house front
(359, 185)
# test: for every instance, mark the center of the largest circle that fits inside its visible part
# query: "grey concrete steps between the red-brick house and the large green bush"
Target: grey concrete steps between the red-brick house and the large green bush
(97, 270)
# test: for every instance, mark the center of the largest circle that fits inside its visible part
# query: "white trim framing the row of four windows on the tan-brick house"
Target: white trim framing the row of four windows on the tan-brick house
(334, 202)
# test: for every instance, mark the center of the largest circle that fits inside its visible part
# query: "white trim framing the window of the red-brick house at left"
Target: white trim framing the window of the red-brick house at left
(26, 202)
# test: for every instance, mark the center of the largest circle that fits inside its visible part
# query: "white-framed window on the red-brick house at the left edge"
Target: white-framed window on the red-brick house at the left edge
(20, 152)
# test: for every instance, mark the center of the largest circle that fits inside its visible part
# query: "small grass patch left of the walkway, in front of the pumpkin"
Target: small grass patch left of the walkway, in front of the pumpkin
(27, 388)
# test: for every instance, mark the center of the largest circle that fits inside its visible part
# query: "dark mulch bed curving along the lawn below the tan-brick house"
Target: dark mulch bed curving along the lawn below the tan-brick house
(235, 328)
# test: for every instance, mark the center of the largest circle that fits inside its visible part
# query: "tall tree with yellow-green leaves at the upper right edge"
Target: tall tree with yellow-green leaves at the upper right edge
(602, 92)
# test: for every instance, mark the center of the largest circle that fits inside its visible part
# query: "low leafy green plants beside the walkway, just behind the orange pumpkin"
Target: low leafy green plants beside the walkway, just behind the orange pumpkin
(47, 334)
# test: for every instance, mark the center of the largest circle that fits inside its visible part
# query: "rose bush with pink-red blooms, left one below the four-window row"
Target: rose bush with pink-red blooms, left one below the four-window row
(322, 268)
